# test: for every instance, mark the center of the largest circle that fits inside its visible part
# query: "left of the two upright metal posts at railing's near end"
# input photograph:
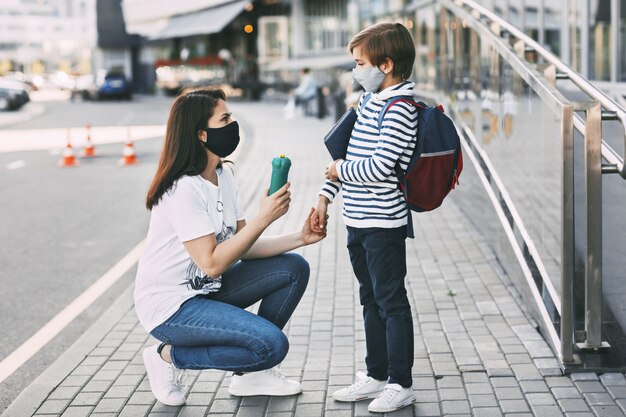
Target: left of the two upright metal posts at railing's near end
(567, 233)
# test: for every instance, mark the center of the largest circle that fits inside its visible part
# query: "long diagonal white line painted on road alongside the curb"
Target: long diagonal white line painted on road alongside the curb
(37, 341)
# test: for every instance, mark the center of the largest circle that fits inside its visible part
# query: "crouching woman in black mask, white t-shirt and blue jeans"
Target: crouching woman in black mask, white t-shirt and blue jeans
(203, 264)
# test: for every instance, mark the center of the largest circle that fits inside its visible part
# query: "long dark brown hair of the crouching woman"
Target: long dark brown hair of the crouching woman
(183, 153)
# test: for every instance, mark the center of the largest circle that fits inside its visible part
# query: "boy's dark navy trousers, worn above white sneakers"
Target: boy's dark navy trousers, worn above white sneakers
(378, 258)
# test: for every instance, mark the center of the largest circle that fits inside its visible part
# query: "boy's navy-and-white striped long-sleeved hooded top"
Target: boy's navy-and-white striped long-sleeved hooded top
(367, 179)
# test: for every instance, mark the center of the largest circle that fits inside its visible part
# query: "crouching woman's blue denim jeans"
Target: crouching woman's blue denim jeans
(215, 332)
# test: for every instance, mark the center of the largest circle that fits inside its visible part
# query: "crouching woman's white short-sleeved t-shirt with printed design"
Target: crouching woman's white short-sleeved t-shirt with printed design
(166, 275)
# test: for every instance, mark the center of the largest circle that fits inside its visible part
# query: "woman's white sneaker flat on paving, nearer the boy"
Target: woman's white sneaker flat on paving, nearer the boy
(268, 382)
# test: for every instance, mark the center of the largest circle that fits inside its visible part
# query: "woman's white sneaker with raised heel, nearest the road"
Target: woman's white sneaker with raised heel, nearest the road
(165, 380)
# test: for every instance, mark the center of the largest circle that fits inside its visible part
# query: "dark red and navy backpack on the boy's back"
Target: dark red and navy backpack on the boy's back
(436, 162)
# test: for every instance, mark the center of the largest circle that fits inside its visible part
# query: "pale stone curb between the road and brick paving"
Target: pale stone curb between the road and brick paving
(36, 393)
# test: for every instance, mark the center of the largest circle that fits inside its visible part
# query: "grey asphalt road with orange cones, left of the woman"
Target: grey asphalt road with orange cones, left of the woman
(62, 229)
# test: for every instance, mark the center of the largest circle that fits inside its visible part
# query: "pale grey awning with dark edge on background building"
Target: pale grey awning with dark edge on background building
(204, 22)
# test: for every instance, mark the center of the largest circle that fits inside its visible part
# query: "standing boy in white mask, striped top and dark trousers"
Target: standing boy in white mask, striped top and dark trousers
(375, 213)
